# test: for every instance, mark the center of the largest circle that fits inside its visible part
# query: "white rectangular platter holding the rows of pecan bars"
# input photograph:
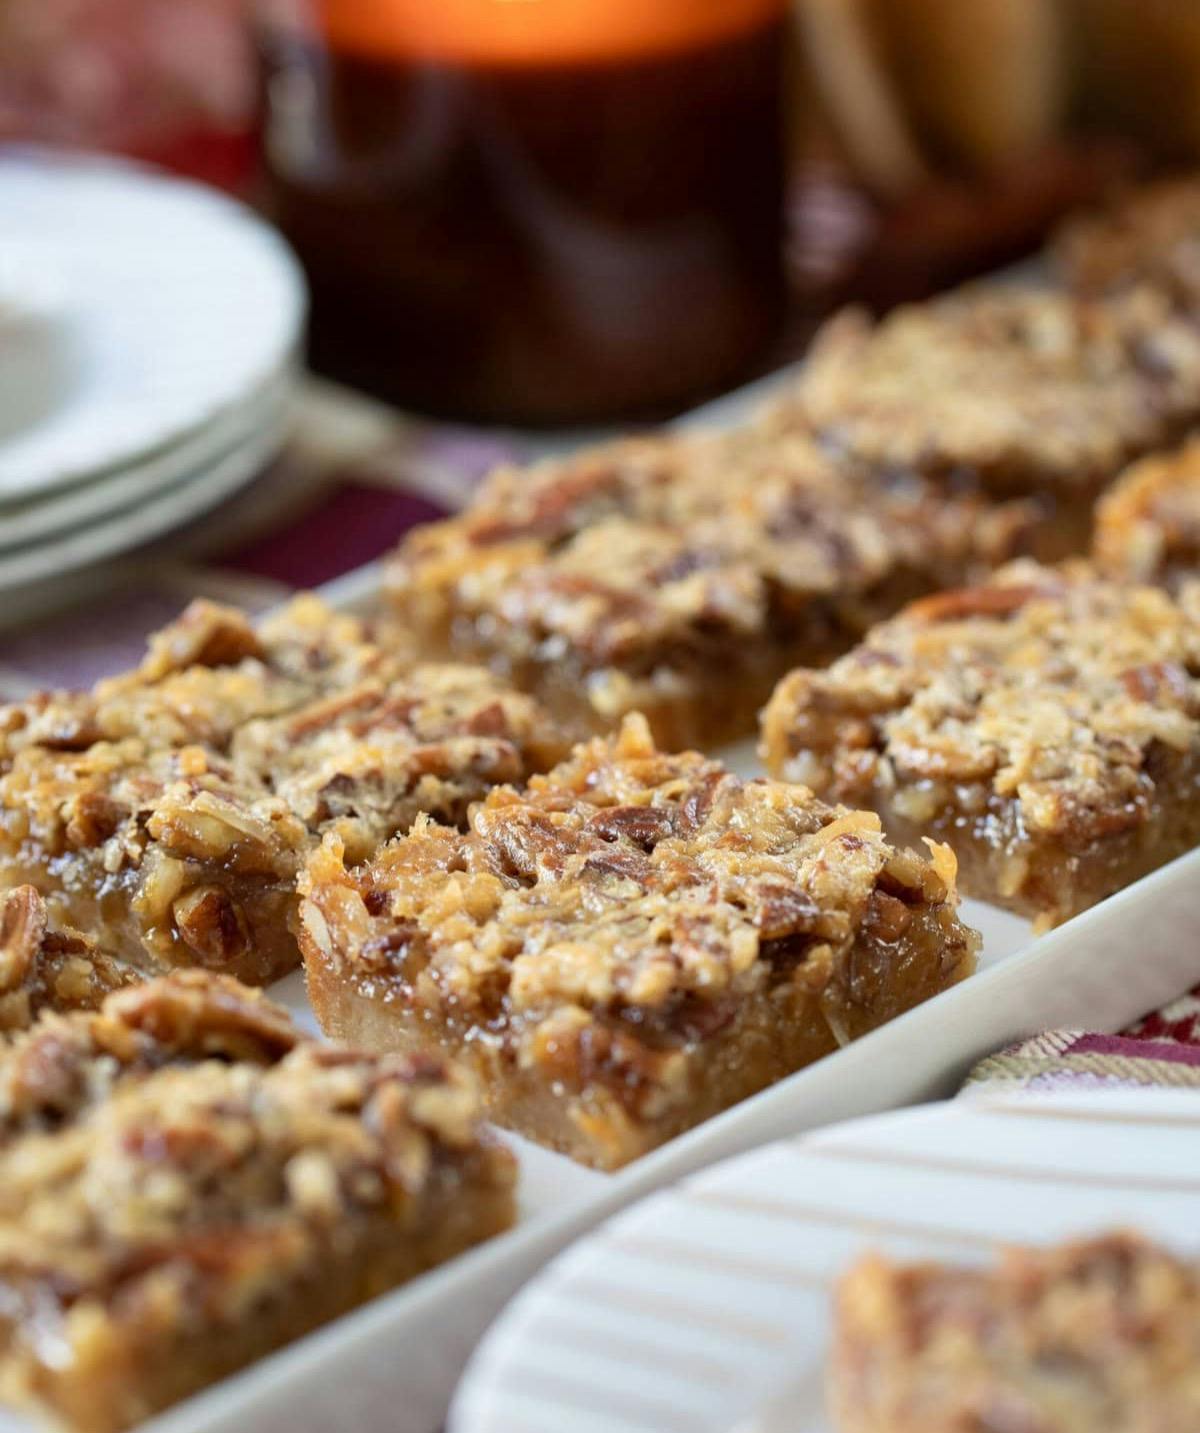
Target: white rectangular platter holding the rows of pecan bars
(394, 1366)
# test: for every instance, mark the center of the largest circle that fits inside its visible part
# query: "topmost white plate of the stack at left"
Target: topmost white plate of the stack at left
(173, 305)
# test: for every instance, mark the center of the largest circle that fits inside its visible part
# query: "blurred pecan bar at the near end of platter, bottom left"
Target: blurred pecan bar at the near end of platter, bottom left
(187, 1184)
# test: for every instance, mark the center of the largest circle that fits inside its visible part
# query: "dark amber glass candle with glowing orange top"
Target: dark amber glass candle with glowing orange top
(533, 210)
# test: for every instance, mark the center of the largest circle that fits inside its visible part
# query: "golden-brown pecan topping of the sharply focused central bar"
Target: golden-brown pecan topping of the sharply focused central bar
(627, 886)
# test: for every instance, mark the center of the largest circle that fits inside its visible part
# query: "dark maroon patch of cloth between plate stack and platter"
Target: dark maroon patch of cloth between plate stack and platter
(353, 525)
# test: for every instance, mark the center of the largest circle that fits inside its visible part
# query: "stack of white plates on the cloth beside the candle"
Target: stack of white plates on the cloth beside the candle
(150, 349)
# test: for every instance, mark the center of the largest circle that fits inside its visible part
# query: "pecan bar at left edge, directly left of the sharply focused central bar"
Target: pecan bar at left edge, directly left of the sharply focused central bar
(170, 810)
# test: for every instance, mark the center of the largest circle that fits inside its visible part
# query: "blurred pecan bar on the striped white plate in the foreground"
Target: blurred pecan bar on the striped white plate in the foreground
(1095, 1336)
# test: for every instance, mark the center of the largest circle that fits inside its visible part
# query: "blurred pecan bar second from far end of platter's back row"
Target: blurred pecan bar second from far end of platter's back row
(1016, 392)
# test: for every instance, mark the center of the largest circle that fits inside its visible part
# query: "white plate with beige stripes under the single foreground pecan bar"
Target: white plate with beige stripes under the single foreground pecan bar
(708, 1309)
